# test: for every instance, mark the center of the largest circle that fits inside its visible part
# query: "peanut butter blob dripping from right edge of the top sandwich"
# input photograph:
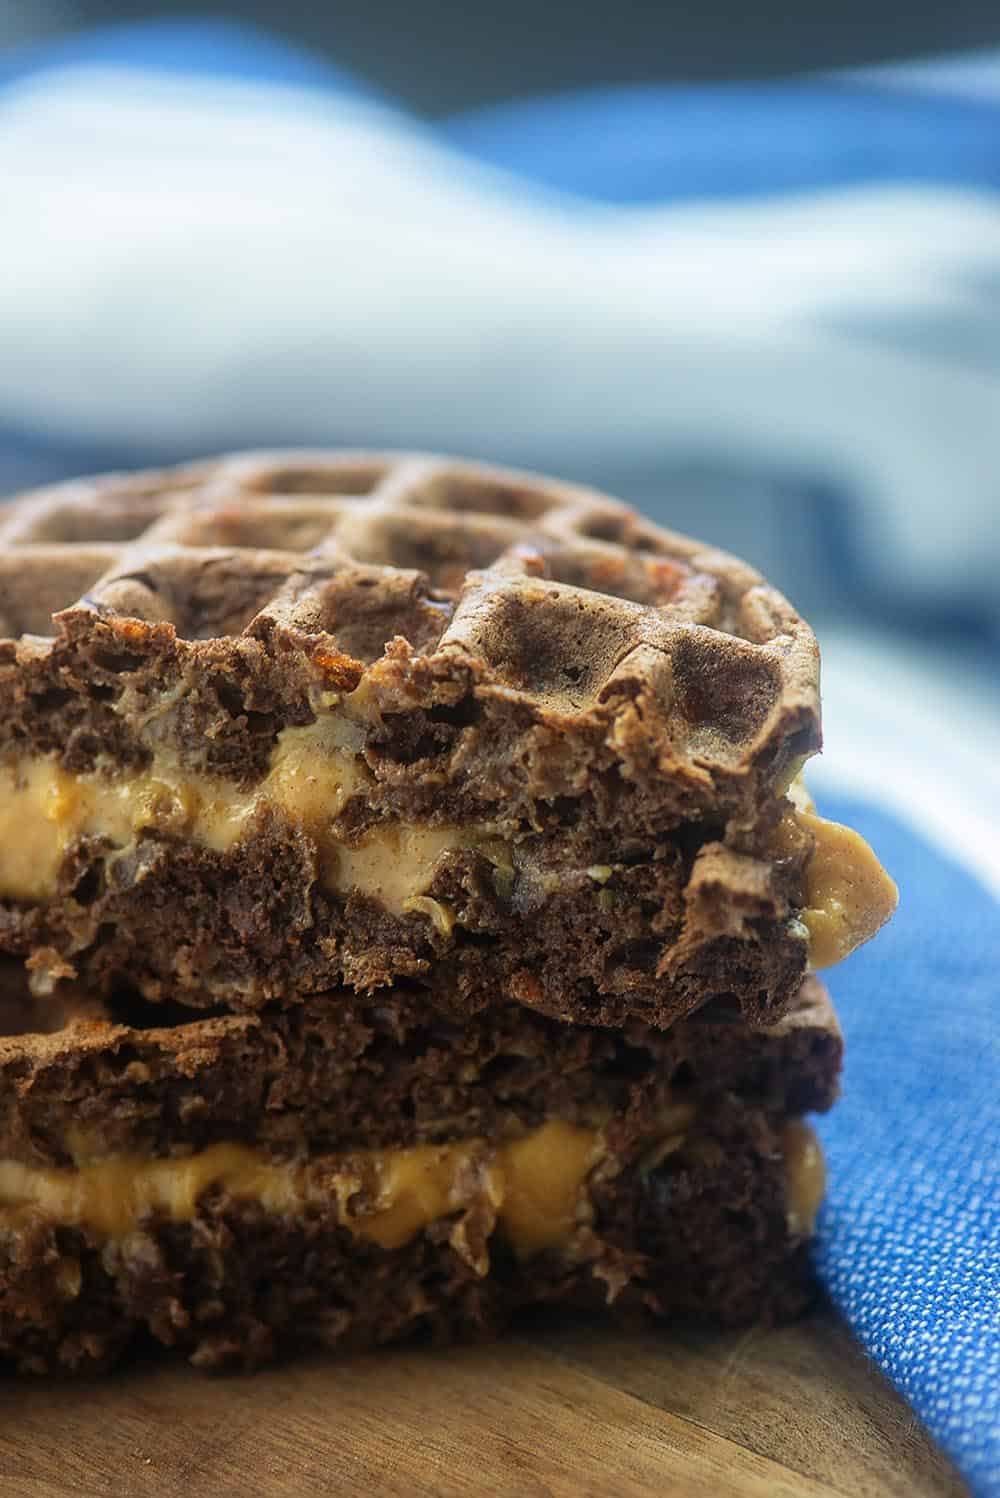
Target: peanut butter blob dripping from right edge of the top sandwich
(848, 894)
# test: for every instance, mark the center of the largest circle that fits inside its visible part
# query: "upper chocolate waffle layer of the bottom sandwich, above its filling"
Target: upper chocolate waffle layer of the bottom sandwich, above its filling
(88, 1076)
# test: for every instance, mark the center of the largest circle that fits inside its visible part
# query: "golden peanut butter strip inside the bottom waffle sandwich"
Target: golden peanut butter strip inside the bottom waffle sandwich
(534, 1186)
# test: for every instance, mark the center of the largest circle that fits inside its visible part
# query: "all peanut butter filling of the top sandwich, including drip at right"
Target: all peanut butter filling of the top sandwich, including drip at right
(314, 772)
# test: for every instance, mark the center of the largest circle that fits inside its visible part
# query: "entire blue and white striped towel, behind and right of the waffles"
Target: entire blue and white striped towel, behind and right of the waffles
(209, 239)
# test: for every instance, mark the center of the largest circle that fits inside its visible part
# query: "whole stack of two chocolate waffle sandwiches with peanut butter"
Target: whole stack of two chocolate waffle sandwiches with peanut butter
(411, 907)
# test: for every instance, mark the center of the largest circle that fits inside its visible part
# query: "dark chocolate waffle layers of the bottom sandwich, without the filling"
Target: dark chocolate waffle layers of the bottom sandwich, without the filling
(700, 1228)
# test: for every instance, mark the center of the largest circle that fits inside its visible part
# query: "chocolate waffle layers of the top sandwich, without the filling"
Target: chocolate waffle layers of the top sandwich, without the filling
(621, 706)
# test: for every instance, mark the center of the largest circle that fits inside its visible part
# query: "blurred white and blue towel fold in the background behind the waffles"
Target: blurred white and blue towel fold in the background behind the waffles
(767, 312)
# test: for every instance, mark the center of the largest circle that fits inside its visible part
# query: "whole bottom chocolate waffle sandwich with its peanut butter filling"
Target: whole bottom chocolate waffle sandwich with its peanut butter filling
(189, 1184)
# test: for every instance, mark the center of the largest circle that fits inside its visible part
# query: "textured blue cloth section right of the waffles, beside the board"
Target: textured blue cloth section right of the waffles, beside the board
(909, 1241)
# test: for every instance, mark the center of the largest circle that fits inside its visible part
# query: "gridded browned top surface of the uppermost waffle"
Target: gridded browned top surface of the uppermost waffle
(330, 546)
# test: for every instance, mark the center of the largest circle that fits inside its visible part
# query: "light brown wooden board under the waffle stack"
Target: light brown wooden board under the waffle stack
(564, 1407)
